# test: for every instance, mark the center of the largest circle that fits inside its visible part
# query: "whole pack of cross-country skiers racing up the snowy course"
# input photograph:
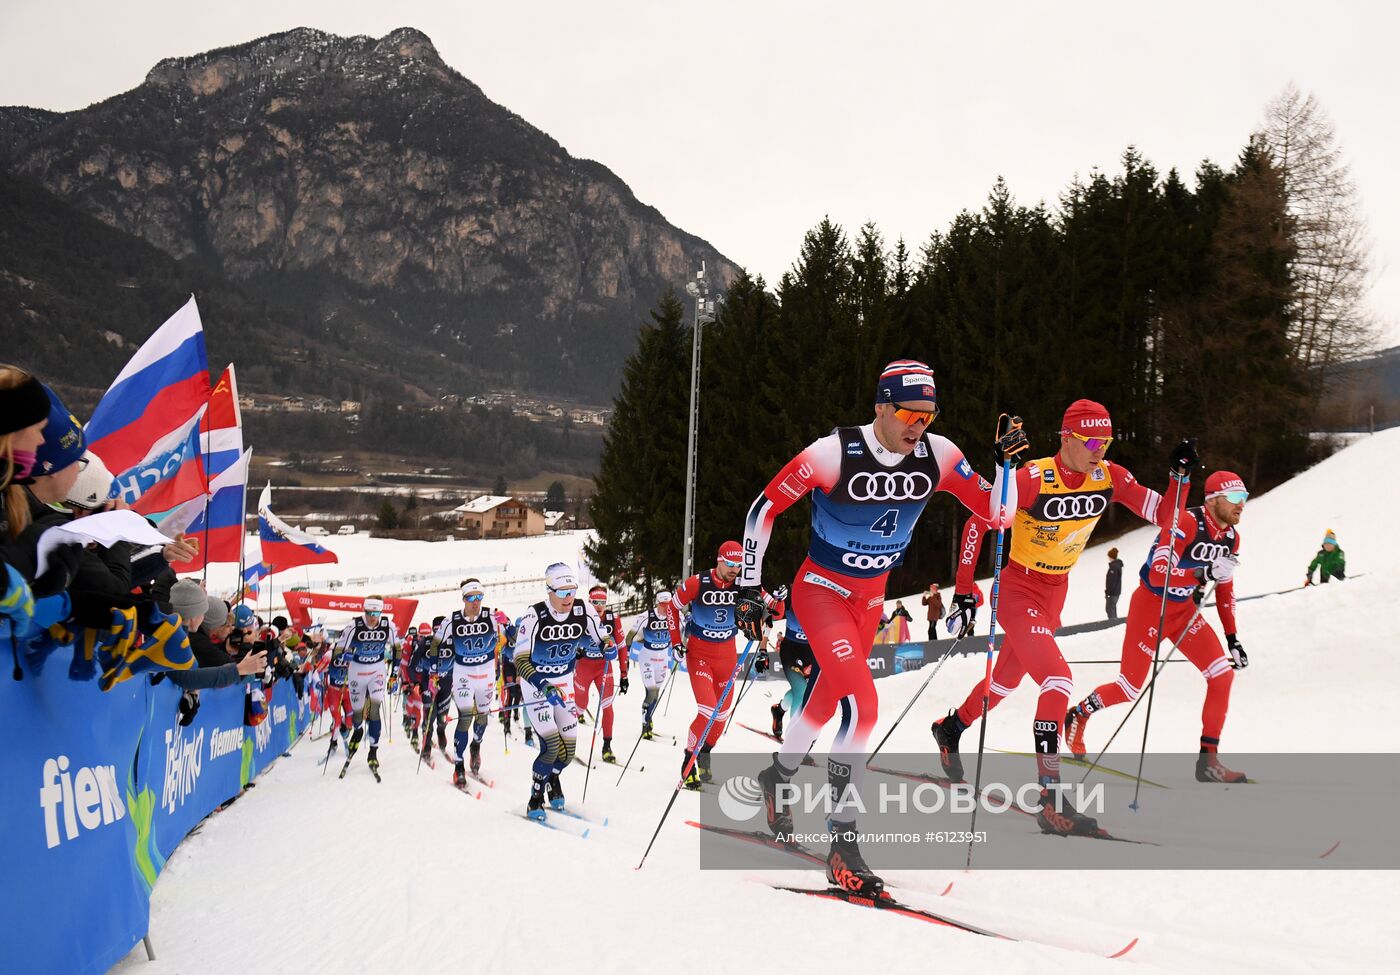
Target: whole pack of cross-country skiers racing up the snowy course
(869, 485)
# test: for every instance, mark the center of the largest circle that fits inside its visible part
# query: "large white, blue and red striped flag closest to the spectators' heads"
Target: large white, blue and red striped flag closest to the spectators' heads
(148, 424)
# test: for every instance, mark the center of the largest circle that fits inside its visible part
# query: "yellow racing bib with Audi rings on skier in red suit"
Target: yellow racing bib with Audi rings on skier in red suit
(1051, 534)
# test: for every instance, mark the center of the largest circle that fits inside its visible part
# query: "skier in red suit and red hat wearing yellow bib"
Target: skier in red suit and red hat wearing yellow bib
(1060, 501)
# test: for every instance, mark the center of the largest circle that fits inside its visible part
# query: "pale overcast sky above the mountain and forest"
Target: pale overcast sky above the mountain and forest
(748, 123)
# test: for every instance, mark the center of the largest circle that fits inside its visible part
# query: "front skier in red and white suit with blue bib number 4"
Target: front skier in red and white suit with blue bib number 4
(869, 484)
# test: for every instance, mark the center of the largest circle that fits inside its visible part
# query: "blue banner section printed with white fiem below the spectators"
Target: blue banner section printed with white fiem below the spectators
(73, 900)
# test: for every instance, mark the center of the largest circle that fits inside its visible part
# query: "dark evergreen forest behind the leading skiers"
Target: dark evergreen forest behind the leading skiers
(1167, 300)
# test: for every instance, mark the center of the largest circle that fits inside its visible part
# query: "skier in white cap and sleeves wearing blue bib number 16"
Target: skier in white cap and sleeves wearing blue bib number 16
(551, 637)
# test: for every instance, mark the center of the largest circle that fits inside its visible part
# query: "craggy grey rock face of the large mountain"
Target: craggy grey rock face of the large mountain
(383, 207)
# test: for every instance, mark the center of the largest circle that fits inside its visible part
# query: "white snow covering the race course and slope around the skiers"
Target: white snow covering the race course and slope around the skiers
(414, 876)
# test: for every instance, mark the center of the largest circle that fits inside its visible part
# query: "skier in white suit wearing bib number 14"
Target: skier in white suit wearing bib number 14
(472, 637)
